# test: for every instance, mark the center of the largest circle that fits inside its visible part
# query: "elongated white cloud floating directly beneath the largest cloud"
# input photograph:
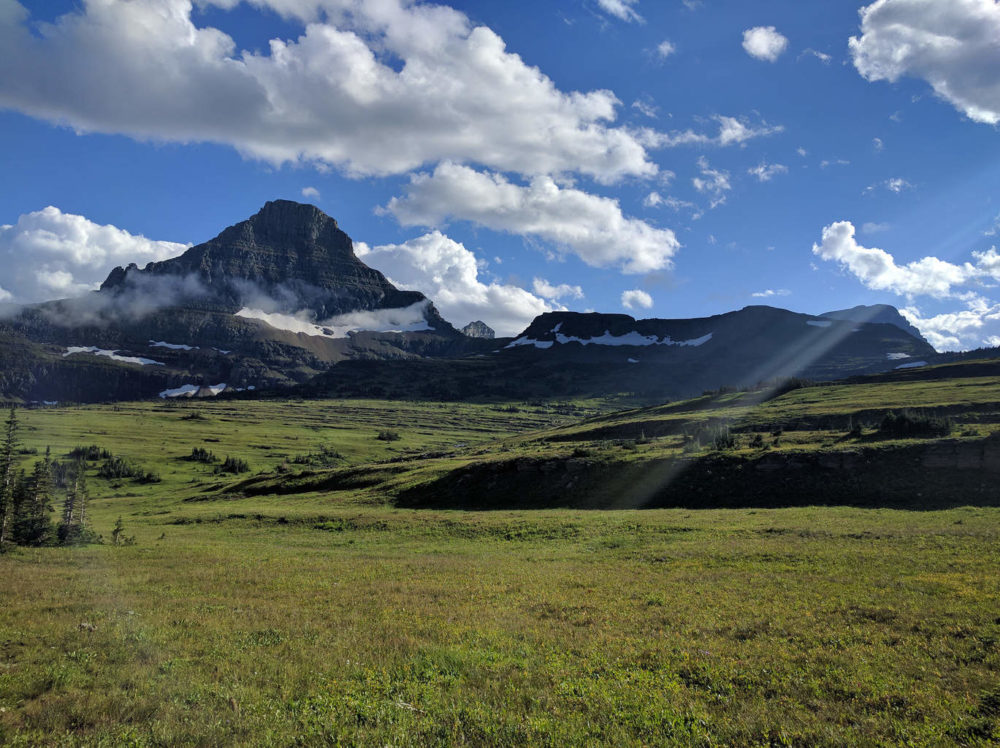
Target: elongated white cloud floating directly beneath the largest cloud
(590, 226)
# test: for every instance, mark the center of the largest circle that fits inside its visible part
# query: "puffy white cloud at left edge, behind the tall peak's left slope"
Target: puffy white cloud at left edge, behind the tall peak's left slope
(49, 254)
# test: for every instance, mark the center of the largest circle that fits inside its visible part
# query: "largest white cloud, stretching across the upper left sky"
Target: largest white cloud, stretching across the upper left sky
(372, 87)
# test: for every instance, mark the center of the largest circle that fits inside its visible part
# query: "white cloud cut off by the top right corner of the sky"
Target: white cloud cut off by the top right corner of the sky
(951, 44)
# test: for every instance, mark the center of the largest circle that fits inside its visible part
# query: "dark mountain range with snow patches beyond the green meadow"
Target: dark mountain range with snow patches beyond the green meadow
(280, 301)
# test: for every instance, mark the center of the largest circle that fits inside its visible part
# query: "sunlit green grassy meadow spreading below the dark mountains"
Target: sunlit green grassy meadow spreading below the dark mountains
(317, 611)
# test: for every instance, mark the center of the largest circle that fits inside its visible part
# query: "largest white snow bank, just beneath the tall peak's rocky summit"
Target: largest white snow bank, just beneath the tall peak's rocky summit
(401, 319)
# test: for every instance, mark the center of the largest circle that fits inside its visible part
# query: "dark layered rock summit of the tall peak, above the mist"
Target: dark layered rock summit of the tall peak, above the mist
(288, 257)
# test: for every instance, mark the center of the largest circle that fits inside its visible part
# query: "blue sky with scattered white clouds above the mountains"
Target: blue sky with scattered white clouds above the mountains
(666, 158)
